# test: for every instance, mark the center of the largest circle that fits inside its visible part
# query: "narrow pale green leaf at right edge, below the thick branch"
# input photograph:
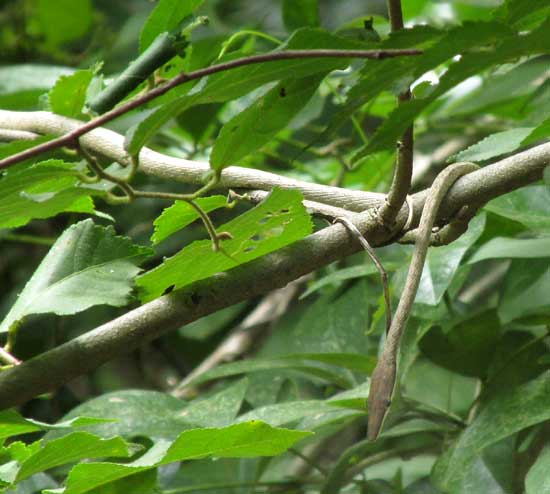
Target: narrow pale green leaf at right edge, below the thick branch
(510, 248)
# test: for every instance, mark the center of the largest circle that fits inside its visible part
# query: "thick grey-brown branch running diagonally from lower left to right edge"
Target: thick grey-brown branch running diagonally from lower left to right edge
(59, 365)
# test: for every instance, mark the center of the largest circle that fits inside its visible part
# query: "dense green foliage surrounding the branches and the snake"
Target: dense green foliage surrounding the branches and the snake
(472, 408)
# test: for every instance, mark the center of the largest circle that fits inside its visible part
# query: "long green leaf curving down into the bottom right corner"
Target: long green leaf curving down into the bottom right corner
(510, 411)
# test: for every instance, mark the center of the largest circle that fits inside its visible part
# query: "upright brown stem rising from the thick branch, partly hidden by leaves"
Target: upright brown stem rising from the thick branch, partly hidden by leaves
(402, 178)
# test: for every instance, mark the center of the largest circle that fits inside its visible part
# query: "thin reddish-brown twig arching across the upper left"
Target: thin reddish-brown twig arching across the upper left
(191, 76)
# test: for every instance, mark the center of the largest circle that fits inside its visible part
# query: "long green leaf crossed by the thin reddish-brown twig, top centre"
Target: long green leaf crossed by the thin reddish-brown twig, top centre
(232, 84)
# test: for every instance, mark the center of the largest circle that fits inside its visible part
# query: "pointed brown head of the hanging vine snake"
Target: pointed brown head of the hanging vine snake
(380, 394)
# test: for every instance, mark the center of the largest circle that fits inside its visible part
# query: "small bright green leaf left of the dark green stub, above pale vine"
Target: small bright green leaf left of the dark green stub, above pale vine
(68, 95)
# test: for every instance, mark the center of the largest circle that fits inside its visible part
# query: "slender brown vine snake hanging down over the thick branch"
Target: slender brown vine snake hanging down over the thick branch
(384, 376)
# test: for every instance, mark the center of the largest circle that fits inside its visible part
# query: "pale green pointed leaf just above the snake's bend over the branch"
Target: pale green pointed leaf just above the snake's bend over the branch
(495, 145)
